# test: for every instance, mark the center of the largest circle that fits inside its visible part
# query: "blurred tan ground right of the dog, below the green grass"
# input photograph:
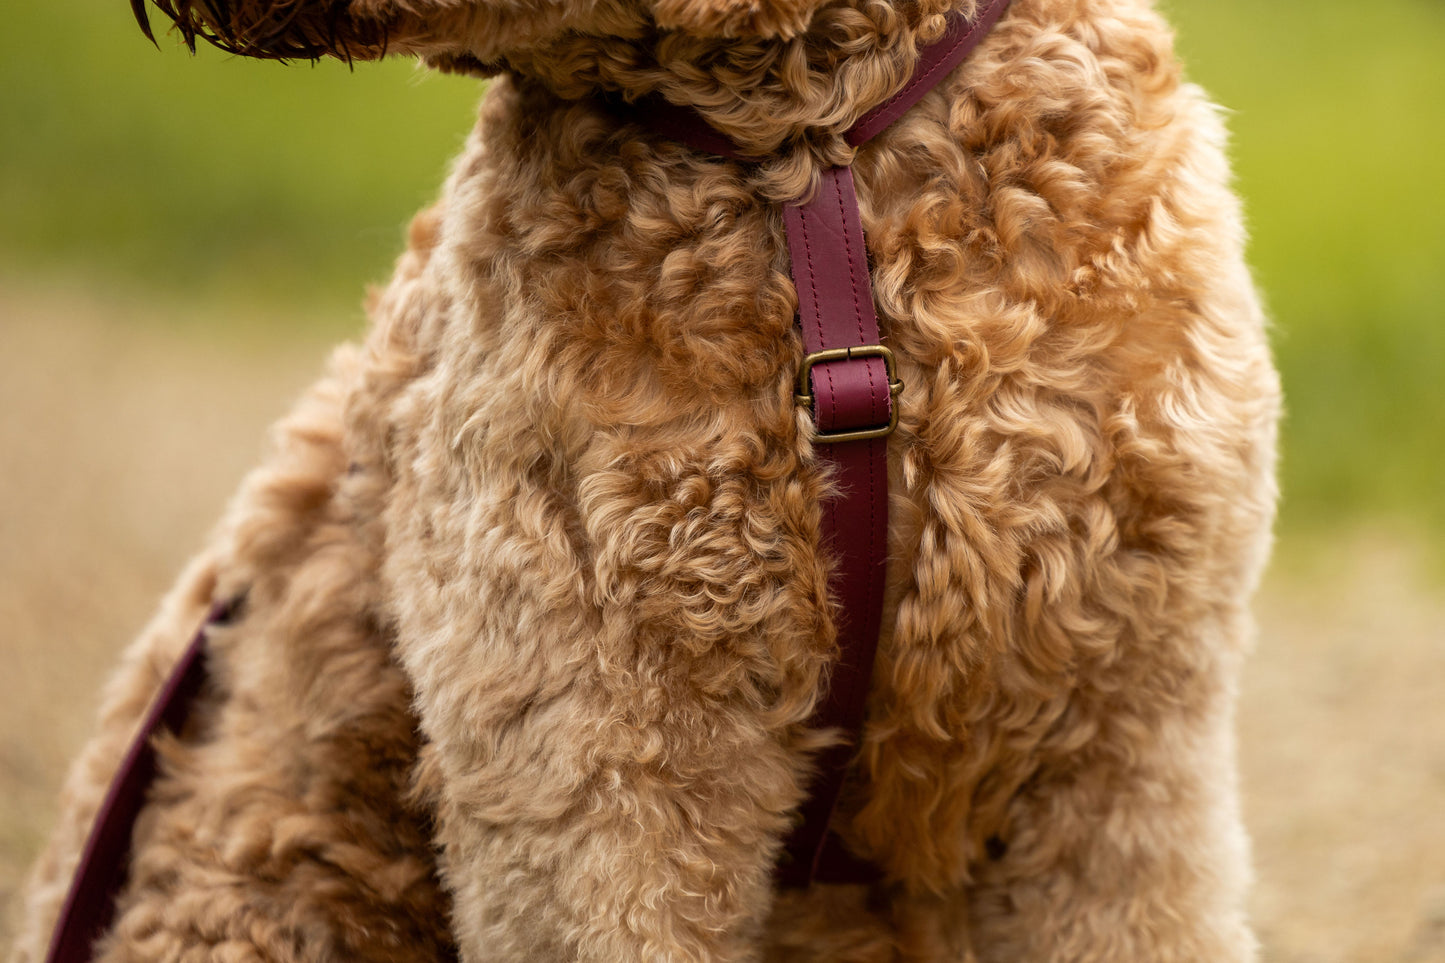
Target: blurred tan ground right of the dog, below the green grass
(1343, 750)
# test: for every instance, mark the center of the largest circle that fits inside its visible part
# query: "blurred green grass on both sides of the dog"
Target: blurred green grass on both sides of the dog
(288, 187)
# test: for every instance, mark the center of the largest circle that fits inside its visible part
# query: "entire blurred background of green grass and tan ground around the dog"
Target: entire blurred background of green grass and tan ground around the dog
(181, 238)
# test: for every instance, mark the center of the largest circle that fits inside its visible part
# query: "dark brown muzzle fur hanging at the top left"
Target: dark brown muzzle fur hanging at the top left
(275, 30)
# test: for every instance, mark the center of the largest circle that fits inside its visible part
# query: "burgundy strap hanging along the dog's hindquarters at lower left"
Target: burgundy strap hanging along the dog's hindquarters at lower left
(92, 900)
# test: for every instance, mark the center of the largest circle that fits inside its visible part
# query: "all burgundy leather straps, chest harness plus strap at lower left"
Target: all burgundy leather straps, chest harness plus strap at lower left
(849, 384)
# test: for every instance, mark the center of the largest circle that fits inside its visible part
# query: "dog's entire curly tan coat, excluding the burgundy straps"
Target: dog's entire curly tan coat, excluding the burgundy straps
(535, 615)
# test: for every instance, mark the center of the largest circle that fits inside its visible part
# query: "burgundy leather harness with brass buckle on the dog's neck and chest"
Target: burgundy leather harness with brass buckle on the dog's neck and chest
(850, 385)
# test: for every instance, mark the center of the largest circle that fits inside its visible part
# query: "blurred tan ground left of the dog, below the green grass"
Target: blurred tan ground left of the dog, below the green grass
(121, 439)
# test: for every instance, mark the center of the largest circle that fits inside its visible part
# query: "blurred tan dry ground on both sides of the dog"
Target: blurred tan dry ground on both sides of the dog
(124, 430)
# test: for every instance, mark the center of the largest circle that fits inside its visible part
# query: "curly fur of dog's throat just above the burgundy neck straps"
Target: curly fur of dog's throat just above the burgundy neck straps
(769, 98)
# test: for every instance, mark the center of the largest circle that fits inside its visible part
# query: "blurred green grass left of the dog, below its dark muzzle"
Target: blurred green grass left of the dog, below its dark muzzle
(212, 177)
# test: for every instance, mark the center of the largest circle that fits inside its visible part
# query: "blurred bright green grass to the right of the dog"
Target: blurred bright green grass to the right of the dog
(1339, 144)
